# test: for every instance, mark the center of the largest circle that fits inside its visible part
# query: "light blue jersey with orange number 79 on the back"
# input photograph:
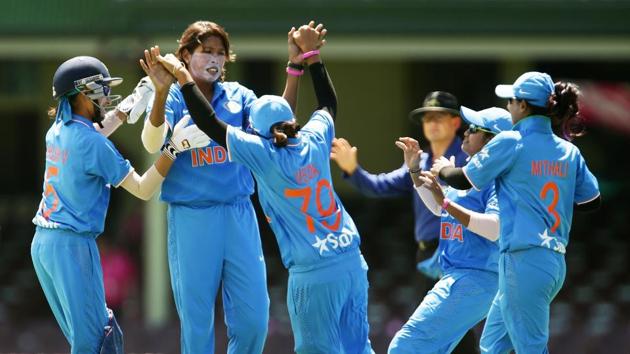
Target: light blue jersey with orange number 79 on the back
(295, 190)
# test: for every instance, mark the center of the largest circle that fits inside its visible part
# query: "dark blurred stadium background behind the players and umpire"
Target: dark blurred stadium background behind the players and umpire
(383, 56)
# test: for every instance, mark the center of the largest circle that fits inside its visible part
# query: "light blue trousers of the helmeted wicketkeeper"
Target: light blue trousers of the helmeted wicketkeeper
(68, 267)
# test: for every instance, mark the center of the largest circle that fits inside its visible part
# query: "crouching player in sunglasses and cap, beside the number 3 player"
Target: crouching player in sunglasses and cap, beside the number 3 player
(467, 250)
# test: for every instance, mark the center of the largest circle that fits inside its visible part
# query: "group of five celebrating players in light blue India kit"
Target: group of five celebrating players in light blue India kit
(504, 213)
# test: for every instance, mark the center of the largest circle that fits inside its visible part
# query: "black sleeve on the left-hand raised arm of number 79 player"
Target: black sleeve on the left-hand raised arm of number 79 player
(203, 114)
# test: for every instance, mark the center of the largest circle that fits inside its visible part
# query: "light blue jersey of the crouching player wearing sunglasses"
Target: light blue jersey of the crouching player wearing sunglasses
(460, 248)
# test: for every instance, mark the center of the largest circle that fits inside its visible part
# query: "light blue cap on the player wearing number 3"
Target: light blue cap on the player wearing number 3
(533, 87)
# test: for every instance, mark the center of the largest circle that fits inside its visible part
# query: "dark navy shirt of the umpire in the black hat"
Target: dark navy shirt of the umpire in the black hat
(397, 183)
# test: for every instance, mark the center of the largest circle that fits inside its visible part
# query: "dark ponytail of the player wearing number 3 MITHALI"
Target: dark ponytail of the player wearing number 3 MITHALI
(564, 111)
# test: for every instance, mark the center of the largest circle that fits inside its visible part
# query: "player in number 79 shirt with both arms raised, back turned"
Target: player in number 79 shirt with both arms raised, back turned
(319, 243)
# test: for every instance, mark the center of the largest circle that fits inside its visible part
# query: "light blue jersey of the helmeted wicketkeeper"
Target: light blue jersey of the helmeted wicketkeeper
(81, 165)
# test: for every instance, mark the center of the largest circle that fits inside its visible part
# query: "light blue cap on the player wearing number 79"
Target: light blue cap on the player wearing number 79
(267, 111)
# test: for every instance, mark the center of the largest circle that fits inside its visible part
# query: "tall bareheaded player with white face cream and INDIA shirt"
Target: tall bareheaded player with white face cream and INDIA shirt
(213, 236)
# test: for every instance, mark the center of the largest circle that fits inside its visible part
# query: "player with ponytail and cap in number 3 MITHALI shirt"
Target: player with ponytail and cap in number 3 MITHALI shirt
(540, 177)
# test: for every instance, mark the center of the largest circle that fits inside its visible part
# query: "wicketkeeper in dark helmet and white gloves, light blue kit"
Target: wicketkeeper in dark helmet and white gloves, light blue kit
(81, 166)
